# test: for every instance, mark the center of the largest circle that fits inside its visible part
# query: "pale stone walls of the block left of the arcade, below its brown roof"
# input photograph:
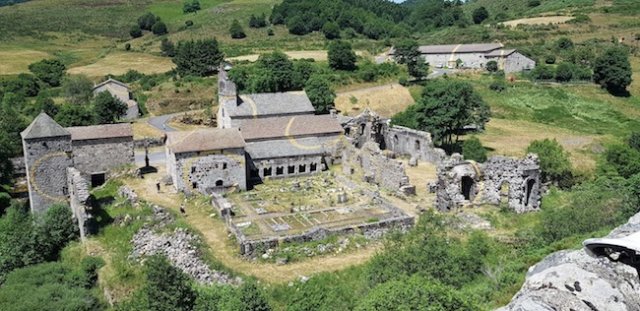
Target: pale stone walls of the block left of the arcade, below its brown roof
(208, 173)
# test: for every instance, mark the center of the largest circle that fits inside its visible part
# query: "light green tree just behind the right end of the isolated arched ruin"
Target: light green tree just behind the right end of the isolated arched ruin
(554, 161)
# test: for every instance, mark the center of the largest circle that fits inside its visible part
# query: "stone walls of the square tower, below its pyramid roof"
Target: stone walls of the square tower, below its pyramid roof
(47, 160)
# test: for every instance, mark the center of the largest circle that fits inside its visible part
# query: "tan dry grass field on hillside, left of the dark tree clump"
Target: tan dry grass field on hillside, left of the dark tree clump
(118, 63)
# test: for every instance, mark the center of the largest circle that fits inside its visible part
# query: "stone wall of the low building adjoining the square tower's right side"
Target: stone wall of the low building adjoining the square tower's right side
(102, 155)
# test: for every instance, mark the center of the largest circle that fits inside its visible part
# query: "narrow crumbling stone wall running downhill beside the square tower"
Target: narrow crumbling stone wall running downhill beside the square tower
(79, 200)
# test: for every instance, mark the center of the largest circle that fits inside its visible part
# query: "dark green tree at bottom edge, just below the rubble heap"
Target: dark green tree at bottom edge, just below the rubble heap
(166, 287)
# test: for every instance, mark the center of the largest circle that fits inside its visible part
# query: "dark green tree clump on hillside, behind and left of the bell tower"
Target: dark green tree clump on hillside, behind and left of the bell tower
(198, 58)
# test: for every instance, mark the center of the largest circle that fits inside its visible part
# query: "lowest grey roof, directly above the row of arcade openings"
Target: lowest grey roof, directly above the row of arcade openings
(285, 148)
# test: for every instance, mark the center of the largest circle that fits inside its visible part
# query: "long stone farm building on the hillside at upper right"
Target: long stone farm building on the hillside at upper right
(474, 56)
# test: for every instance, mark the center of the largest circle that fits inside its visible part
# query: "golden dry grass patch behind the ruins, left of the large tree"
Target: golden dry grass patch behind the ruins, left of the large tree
(386, 100)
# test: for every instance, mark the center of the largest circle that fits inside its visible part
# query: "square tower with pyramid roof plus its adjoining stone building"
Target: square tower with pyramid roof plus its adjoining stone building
(50, 149)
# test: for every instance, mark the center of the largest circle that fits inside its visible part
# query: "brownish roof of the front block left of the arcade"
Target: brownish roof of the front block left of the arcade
(204, 140)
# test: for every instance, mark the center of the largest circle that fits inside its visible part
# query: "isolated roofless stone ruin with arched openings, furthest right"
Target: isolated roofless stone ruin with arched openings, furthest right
(515, 182)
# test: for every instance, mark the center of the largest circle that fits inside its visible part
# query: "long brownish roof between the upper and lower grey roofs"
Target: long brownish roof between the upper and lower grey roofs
(294, 126)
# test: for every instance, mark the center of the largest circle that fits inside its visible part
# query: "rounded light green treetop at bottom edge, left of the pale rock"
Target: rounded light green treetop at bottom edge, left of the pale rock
(409, 293)
